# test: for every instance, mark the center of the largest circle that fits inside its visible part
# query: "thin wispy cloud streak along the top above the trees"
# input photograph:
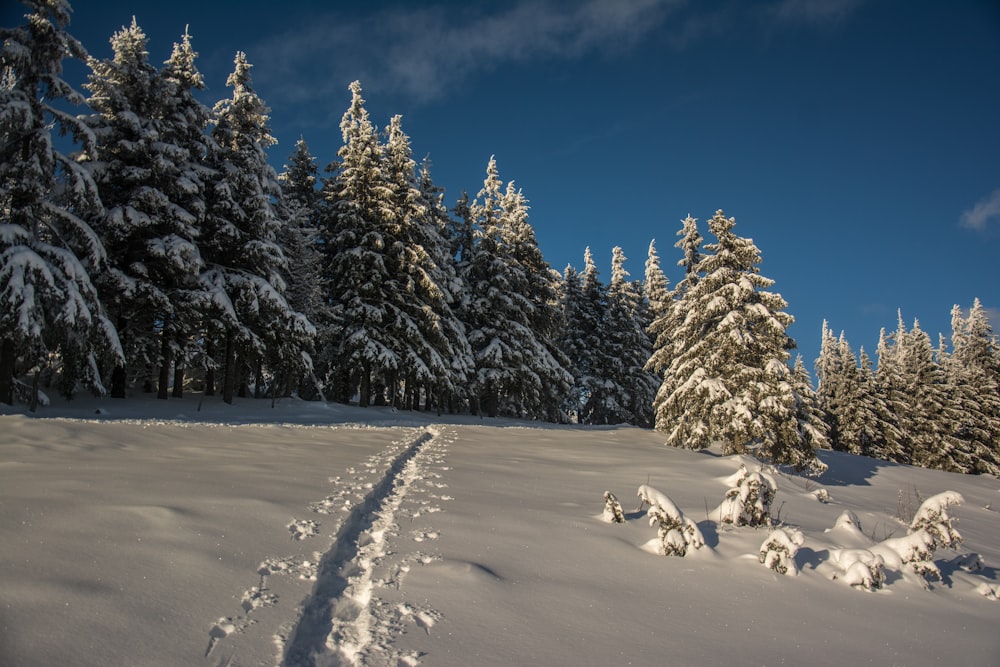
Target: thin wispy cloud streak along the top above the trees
(426, 52)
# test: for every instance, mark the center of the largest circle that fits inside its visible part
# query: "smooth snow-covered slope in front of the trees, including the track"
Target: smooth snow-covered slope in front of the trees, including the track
(187, 533)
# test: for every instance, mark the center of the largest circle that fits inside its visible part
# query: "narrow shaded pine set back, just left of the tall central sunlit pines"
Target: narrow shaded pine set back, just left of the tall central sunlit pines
(299, 239)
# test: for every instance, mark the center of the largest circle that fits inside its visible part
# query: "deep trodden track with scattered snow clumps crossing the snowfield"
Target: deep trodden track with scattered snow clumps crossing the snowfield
(344, 621)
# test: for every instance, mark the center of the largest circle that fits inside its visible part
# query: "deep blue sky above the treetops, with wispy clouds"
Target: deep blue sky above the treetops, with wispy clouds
(857, 142)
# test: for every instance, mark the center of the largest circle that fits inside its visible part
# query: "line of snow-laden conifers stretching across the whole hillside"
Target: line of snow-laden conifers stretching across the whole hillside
(167, 254)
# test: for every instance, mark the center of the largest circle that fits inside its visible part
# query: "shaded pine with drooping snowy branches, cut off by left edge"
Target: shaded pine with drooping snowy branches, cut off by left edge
(49, 307)
